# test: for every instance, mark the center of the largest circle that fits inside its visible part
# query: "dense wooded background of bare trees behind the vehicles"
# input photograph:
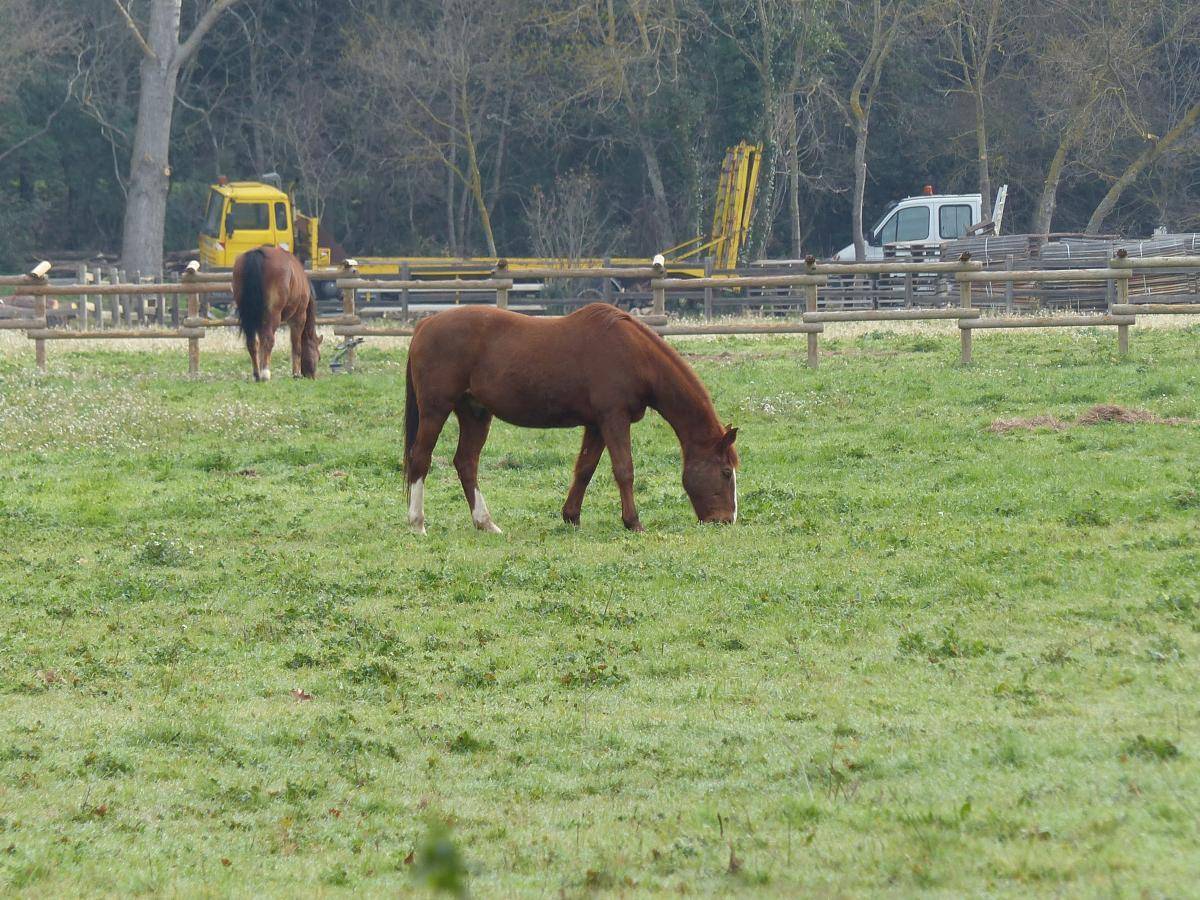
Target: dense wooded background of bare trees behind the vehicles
(590, 127)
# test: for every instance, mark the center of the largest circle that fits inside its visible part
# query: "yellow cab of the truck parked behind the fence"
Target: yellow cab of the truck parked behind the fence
(243, 215)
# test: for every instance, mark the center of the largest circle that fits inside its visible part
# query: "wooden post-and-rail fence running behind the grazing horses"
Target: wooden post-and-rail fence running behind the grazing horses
(128, 299)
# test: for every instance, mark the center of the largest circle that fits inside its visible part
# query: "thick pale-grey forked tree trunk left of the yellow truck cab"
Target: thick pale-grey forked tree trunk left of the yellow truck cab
(163, 58)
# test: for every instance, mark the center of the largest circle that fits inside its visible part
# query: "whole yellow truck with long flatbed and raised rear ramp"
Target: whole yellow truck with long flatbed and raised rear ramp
(243, 215)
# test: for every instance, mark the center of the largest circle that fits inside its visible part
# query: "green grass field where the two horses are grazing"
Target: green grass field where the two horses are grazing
(929, 657)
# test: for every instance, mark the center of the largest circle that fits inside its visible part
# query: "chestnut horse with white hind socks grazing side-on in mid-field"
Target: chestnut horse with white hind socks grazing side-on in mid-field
(598, 368)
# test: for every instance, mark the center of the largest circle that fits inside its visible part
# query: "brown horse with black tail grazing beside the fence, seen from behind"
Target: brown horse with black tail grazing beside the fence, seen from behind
(271, 286)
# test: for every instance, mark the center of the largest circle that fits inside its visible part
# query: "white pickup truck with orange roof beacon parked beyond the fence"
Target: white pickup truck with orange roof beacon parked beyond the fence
(927, 220)
